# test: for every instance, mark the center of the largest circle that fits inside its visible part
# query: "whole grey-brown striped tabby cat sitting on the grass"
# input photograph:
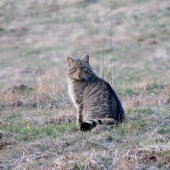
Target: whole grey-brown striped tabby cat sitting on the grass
(95, 100)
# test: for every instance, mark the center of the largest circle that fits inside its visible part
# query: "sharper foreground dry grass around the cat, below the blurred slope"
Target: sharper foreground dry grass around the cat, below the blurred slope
(45, 134)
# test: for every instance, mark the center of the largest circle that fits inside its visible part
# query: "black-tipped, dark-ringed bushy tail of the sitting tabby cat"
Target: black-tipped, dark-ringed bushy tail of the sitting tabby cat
(90, 124)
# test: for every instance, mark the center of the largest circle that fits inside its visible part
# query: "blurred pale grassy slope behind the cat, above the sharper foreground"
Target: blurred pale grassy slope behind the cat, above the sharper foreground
(127, 39)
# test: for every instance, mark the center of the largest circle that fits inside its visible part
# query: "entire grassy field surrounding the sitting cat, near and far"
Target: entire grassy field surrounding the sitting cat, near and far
(128, 42)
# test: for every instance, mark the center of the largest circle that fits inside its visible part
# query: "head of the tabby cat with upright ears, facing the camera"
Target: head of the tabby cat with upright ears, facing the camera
(79, 69)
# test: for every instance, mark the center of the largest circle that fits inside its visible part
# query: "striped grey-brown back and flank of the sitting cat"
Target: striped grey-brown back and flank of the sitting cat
(100, 101)
